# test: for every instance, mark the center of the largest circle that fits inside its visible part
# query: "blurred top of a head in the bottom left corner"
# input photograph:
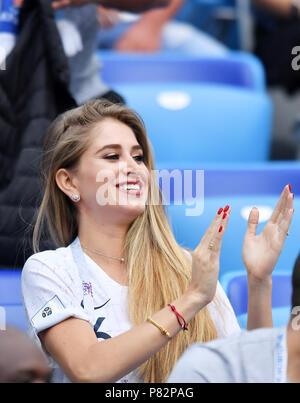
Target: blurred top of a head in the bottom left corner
(21, 361)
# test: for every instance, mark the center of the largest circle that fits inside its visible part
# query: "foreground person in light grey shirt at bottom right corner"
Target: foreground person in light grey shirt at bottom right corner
(262, 355)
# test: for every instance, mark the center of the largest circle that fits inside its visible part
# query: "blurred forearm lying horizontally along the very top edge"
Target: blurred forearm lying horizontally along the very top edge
(135, 6)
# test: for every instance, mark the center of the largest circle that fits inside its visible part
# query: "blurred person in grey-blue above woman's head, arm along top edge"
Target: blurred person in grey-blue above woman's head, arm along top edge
(78, 26)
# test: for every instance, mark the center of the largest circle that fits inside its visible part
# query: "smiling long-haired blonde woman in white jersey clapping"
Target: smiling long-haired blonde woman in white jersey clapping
(119, 299)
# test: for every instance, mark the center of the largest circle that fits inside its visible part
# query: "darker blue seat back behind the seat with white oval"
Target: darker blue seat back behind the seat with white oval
(236, 69)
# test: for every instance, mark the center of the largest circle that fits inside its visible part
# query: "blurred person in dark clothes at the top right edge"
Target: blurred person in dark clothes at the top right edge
(277, 41)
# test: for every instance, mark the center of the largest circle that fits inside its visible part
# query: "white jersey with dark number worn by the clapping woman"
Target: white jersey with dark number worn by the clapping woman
(62, 283)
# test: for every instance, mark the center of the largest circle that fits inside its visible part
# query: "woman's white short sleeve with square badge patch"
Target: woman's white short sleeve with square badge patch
(50, 295)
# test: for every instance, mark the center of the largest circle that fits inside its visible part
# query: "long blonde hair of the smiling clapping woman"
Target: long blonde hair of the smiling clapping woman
(159, 270)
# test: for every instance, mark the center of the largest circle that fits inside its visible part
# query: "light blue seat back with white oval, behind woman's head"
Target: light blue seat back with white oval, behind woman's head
(197, 123)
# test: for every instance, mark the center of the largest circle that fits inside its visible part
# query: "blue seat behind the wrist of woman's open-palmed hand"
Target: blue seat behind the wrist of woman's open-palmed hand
(235, 286)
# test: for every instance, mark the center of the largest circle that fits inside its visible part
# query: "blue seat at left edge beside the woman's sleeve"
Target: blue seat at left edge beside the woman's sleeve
(11, 298)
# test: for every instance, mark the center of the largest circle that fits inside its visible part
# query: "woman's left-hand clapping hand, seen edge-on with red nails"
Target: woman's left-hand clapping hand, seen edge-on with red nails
(206, 258)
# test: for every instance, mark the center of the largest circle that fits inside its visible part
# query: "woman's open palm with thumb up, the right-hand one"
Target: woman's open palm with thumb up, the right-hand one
(261, 252)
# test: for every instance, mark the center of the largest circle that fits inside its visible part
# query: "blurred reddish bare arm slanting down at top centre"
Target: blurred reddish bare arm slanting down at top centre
(145, 34)
